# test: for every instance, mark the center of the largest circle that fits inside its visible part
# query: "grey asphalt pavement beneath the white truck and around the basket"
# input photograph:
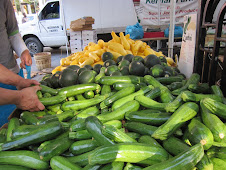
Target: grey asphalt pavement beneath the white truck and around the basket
(56, 55)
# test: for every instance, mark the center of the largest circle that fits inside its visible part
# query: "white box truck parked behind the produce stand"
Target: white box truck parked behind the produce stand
(51, 27)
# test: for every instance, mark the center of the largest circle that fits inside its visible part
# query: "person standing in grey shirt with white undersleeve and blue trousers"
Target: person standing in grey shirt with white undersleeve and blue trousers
(10, 40)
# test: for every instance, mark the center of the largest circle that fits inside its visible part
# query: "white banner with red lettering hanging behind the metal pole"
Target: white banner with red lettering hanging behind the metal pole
(157, 12)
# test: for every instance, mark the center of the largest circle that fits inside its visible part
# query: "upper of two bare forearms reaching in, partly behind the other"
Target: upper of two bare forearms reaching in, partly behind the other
(10, 78)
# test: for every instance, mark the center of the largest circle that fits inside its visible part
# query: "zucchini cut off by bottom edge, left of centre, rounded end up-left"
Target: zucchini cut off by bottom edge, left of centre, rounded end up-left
(59, 162)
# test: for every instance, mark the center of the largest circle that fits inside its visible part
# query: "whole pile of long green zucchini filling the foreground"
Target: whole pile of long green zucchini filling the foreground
(121, 123)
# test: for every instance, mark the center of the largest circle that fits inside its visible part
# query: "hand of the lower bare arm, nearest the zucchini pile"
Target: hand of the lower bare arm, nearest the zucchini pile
(28, 99)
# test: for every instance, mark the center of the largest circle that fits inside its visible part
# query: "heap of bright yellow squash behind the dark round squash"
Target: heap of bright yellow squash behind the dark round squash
(118, 46)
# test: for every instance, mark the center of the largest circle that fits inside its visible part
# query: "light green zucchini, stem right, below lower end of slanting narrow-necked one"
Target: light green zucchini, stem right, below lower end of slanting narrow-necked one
(149, 103)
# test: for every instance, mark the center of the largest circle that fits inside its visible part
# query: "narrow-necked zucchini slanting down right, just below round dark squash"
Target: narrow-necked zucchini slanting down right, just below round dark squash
(165, 95)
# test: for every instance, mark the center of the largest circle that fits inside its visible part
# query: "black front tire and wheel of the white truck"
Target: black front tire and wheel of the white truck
(34, 45)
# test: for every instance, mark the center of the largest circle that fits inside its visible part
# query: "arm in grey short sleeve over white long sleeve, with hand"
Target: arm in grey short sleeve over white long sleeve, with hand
(16, 41)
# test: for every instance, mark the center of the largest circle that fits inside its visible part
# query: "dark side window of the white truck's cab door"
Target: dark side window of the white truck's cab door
(51, 11)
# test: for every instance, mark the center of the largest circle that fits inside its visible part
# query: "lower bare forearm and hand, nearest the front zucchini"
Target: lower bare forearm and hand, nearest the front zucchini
(25, 99)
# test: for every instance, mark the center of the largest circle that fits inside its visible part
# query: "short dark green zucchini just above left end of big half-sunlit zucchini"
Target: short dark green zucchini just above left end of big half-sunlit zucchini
(83, 146)
